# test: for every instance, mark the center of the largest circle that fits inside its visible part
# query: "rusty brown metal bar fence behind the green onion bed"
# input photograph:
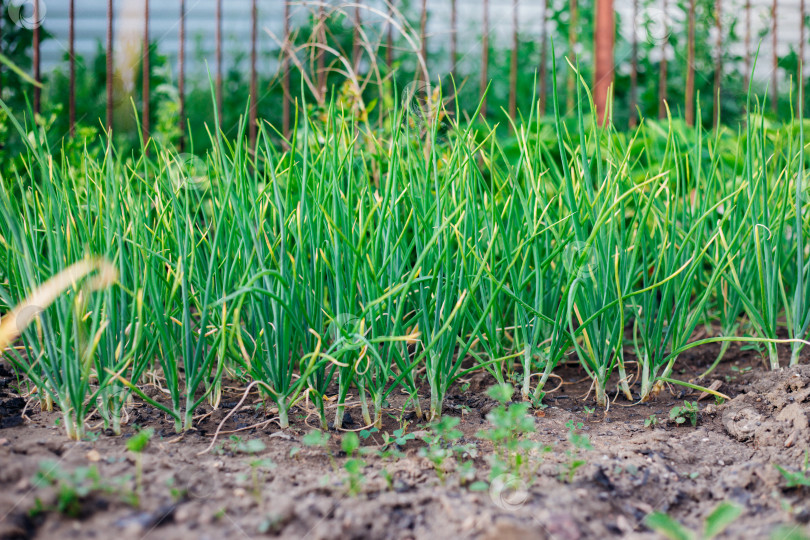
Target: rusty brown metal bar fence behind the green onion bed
(423, 36)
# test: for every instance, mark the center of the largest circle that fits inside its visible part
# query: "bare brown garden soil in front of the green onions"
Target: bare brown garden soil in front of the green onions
(682, 470)
